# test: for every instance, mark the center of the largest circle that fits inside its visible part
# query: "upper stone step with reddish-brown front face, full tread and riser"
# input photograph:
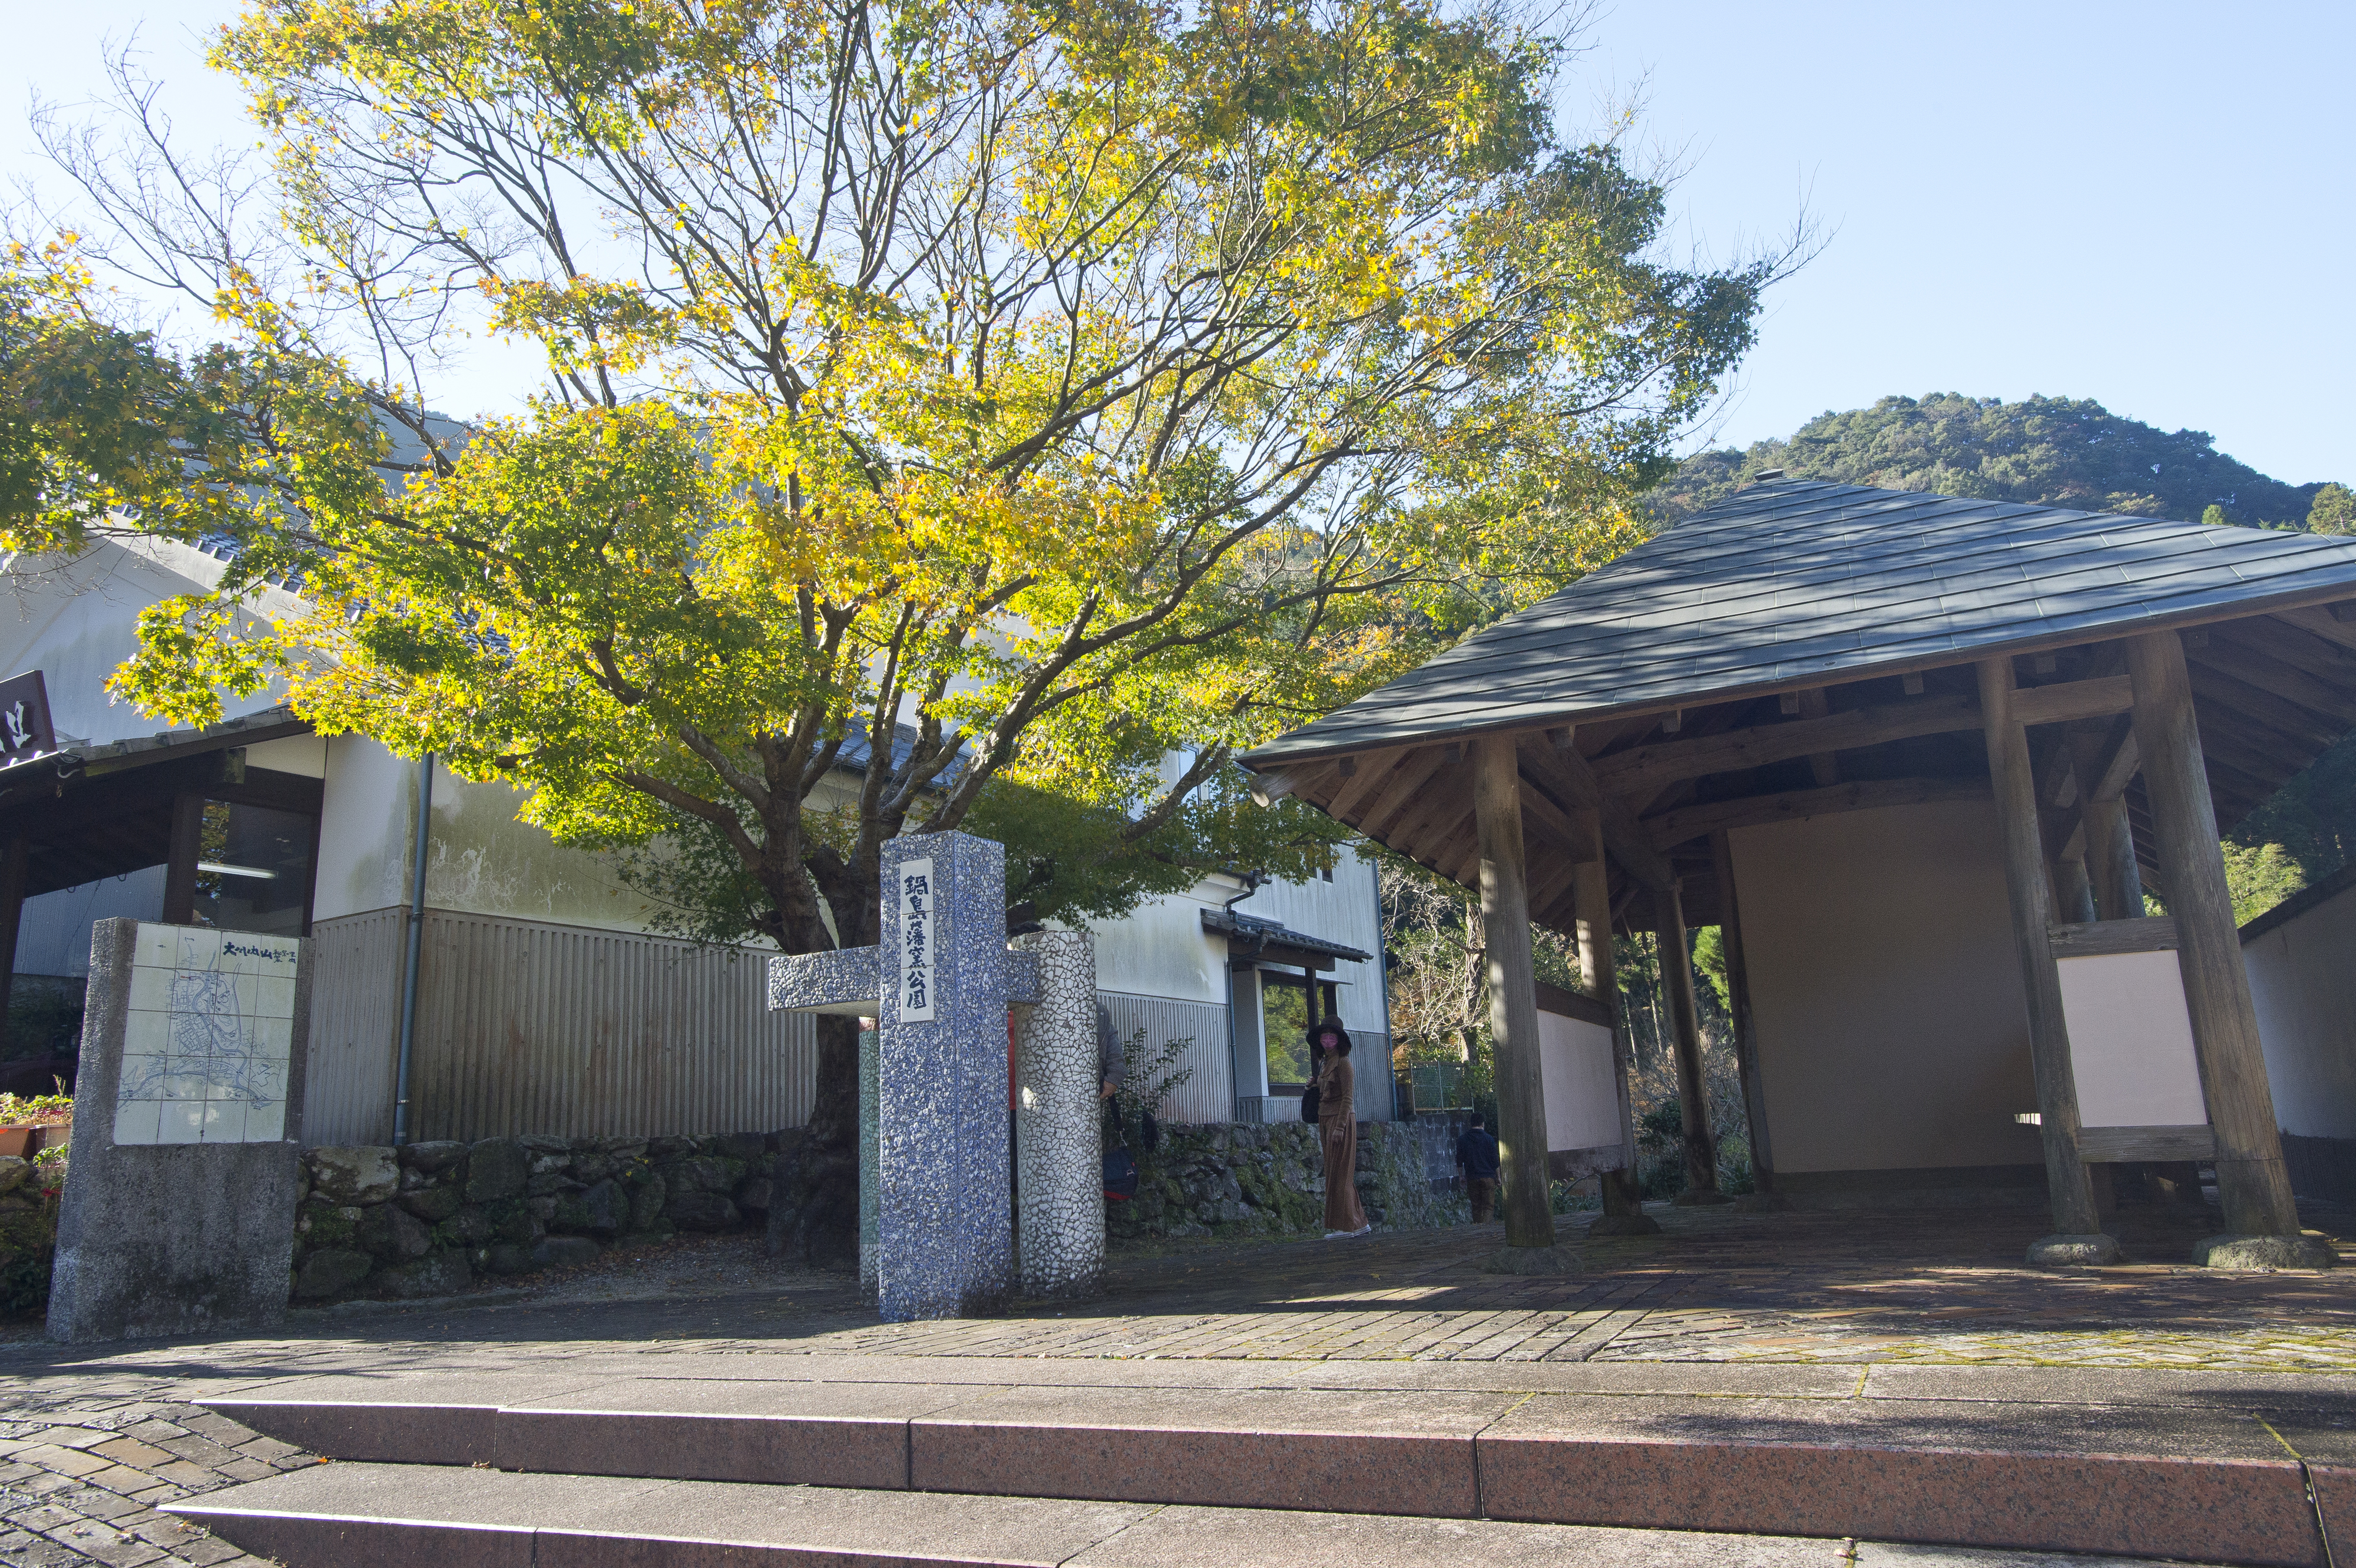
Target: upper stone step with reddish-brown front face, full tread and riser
(2131, 1480)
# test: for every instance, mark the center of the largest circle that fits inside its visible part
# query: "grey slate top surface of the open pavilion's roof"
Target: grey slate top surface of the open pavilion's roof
(1796, 583)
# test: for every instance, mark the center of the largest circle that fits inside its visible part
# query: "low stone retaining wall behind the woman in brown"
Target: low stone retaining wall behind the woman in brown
(1269, 1181)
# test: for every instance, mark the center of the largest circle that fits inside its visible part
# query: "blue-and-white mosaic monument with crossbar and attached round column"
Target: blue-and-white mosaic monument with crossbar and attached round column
(939, 990)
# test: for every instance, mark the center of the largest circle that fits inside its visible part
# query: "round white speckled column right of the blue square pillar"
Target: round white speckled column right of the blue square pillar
(1059, 1157)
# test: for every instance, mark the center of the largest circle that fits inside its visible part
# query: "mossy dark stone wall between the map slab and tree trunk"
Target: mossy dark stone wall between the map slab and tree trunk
(430, 1218)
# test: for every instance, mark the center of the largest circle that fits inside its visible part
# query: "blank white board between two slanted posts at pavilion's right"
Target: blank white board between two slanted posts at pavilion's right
(2131, 1042)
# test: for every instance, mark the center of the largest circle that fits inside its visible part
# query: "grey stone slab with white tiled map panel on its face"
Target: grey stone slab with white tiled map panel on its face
(187, 1134)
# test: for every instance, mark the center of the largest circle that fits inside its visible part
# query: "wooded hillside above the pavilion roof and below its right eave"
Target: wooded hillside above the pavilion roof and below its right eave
(2070, 453)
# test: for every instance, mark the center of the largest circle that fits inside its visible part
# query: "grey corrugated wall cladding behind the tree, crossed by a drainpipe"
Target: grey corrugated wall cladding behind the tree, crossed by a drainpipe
(536, 1028)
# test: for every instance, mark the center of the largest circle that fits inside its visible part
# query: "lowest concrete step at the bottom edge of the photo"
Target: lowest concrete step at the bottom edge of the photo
(444, 1517)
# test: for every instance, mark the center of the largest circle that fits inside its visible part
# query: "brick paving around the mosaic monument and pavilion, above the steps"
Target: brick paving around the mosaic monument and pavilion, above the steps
(95, 1440)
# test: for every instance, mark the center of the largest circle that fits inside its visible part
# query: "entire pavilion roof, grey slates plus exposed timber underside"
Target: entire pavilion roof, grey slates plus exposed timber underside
(1813, 649)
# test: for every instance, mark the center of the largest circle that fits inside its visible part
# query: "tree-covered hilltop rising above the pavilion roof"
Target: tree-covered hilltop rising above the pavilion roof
(2053, 451)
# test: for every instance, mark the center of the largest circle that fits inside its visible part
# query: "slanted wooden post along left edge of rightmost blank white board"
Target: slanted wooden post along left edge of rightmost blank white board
(2025, 879)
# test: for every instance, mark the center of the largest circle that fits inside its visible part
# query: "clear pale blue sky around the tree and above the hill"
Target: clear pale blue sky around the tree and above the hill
(2136, 204)
